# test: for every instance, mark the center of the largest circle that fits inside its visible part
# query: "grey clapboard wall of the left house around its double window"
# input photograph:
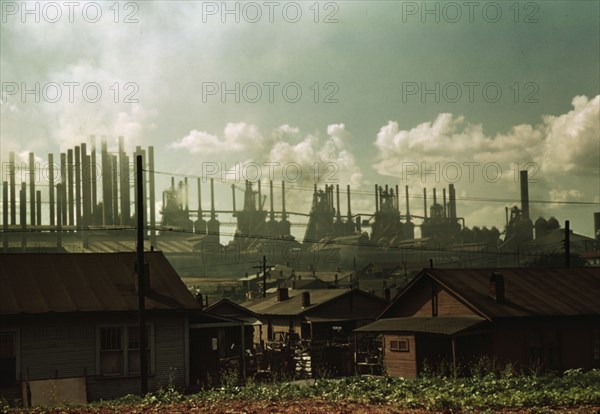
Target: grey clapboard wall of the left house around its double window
(66, 347)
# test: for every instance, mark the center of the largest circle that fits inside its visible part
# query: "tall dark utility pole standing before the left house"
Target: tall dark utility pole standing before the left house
(141, 271)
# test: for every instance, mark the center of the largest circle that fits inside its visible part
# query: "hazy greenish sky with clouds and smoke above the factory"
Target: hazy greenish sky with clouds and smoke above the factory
(422, 94)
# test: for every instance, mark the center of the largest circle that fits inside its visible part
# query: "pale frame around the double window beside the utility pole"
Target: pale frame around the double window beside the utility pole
(125, 350)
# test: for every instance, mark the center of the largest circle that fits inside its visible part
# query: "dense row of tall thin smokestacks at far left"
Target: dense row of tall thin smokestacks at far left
(72, 185)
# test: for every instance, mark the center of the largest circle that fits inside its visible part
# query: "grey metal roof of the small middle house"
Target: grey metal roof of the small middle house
(293, 305)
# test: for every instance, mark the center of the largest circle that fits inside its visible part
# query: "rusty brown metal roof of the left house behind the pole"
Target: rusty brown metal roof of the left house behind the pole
(86, 282)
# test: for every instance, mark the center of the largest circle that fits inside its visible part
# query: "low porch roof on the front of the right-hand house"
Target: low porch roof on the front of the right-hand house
(444, 325)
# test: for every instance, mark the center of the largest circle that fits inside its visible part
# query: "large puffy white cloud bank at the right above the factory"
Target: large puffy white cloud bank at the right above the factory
(555, 149)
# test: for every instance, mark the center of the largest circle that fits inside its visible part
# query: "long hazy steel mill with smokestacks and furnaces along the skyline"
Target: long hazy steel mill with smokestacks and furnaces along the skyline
(90, 208)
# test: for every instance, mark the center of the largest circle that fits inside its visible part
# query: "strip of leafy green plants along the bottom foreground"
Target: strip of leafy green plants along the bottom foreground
(491, 392)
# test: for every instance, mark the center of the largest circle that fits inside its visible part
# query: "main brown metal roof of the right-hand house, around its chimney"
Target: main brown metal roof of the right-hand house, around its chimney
(528, 291)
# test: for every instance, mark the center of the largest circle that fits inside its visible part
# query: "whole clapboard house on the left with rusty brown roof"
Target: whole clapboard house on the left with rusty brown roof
(74, 317)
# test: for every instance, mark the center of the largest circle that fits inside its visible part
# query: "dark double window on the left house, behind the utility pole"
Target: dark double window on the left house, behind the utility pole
(119, 350)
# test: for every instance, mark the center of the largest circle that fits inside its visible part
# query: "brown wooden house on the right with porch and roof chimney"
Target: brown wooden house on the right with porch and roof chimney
(548, 318)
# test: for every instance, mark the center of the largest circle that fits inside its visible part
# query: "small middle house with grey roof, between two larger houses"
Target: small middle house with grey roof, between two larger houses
(317, 324)
